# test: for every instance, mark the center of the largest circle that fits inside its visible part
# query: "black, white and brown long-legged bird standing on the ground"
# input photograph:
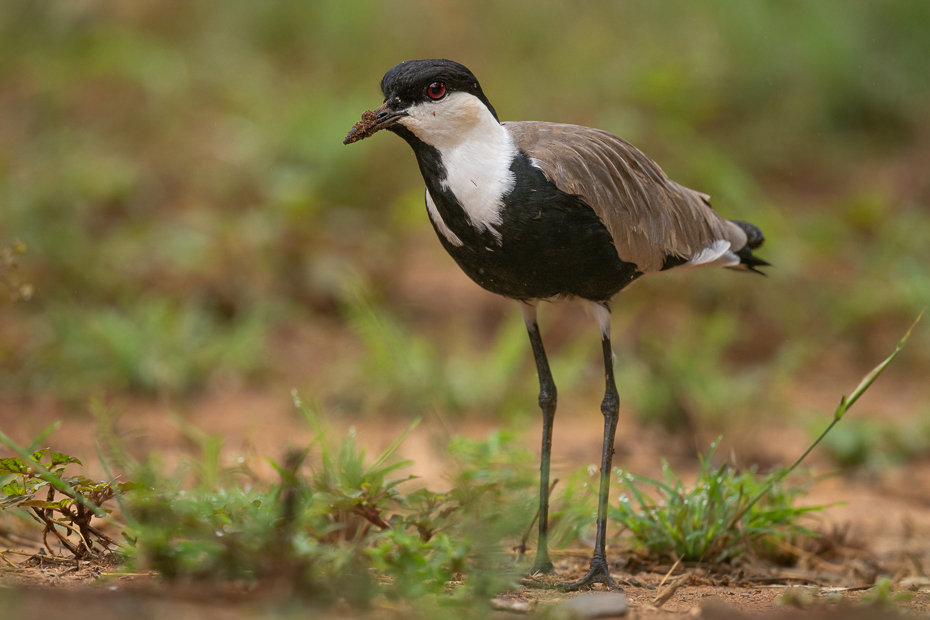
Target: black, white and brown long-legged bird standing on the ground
(537, 211)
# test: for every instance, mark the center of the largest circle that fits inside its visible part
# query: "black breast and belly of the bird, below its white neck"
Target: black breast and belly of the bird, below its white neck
(542, 242)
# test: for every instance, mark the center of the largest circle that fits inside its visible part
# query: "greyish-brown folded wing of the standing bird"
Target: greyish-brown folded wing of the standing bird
(648, 215)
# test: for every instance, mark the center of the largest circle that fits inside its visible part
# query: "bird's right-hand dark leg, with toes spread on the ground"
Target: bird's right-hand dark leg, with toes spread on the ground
(610, 407)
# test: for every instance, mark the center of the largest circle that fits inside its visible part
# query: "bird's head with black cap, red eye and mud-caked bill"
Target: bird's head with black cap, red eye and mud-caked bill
(437, 101)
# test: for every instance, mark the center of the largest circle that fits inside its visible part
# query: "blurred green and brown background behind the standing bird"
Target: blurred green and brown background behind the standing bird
(194, 223)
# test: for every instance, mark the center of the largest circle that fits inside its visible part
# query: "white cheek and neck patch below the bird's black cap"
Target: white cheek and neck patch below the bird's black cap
(476, 152)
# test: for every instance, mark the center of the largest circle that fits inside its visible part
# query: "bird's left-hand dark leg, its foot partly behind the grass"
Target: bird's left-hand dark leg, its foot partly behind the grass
(547, 402)
